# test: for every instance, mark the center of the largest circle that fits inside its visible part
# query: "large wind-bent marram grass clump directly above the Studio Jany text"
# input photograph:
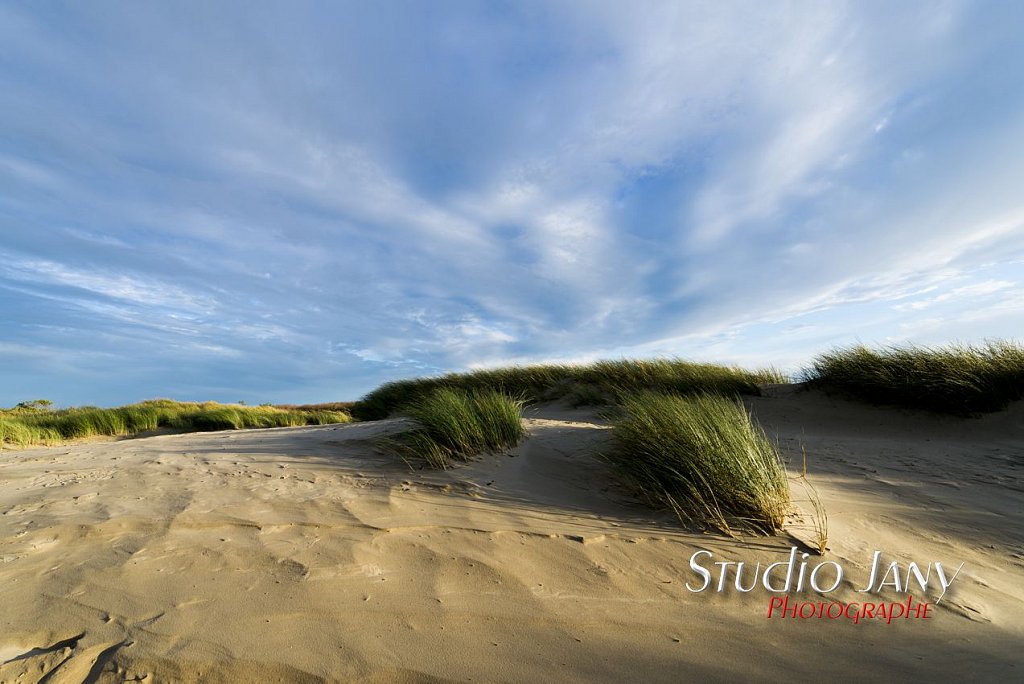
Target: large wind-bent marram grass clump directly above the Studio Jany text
(703, 458)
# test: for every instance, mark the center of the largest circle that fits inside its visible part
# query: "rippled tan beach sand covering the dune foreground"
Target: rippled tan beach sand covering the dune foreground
(305, 554)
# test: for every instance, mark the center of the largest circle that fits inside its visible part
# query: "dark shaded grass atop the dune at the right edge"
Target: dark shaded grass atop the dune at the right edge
(956, 379)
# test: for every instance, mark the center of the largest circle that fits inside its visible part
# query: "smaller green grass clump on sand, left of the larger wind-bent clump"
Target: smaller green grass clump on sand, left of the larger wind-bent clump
(456, 425)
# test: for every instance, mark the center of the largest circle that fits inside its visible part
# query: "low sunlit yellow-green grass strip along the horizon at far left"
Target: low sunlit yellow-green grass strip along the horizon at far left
(35, 423)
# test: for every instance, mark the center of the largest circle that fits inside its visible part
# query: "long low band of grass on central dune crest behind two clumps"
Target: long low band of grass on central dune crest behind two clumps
(583, 386)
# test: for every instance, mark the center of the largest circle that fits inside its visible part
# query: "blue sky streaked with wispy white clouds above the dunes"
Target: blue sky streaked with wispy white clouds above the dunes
(297, 202)
